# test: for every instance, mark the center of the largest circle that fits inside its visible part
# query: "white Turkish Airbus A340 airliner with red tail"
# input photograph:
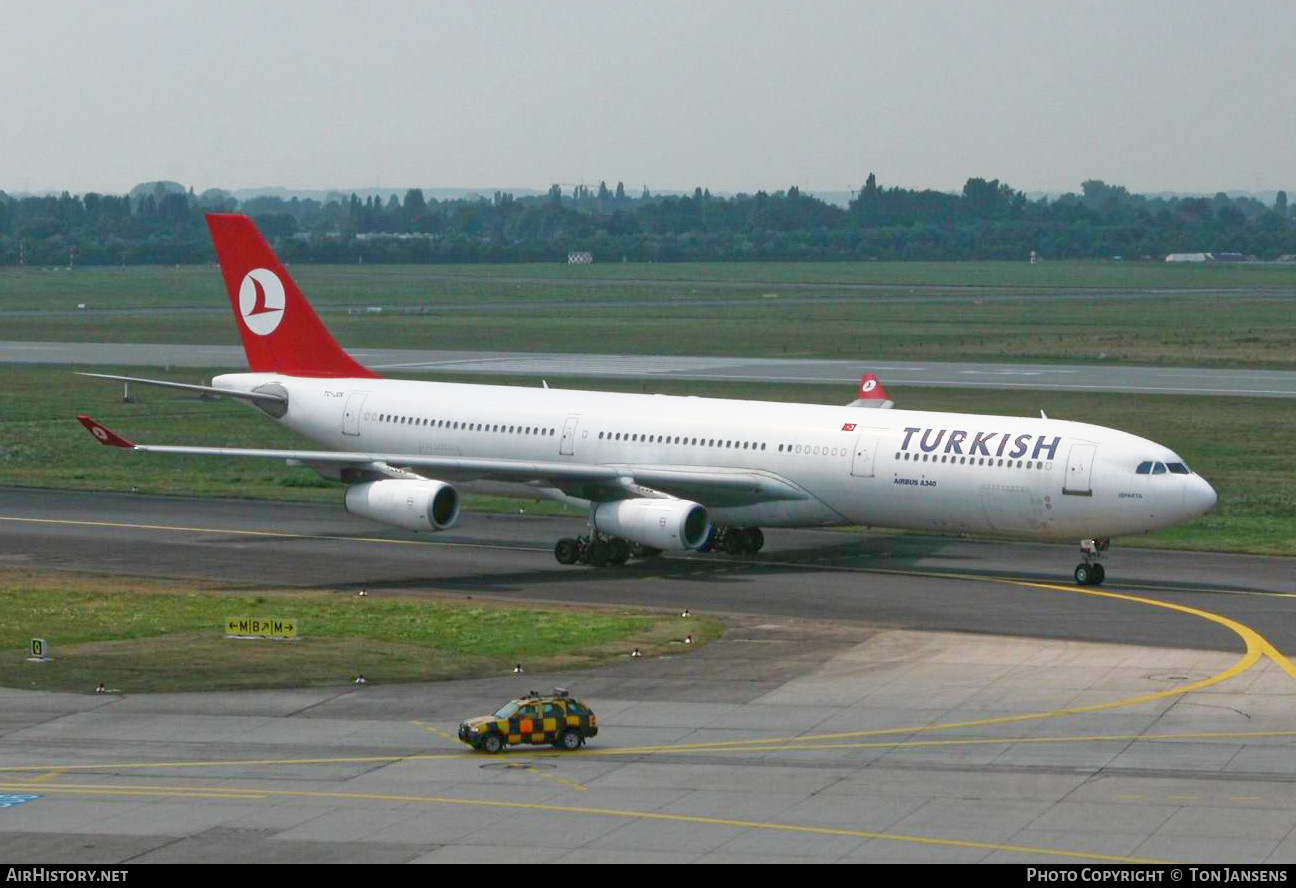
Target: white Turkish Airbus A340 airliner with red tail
(672, 474)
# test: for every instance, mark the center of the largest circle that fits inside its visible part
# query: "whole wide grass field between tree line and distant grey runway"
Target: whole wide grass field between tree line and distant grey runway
(1075, 312)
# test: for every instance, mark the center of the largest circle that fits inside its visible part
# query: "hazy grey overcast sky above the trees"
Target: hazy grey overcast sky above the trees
(1184, 95)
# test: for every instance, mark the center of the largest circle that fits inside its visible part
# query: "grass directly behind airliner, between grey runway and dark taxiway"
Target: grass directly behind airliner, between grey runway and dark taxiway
(1242, 447)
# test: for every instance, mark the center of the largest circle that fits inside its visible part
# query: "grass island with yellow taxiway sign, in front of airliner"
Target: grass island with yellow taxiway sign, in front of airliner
(139, 636)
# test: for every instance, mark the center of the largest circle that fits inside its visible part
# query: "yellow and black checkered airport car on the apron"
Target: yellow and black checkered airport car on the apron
(559, 720)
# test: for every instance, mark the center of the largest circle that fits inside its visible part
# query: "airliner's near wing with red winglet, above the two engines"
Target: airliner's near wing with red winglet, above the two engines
(584, 480)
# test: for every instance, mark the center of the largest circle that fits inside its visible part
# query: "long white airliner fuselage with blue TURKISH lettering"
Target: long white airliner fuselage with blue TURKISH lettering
(1012, 476)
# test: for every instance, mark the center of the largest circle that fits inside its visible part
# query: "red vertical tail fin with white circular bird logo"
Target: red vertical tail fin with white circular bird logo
(281, 331)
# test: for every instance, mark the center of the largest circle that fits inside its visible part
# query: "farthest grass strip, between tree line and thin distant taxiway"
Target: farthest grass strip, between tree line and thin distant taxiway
(182, 286)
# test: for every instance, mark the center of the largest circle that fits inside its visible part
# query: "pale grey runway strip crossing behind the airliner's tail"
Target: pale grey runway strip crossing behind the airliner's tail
(1054, 378)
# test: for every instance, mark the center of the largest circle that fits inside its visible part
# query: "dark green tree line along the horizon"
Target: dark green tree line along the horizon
(164, 224)
